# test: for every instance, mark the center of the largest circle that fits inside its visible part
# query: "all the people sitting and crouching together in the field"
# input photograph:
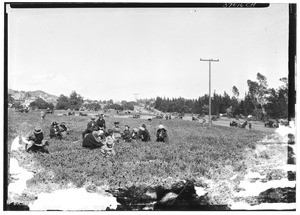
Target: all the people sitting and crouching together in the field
(96, 135)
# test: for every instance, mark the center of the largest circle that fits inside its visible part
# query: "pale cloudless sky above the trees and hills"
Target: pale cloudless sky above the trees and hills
(114, 53)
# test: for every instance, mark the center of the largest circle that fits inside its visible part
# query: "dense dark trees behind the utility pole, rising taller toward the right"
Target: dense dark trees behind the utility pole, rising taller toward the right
(260, 101)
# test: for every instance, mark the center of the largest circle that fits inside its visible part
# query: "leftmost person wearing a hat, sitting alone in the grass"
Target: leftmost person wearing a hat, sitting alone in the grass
(35, 141)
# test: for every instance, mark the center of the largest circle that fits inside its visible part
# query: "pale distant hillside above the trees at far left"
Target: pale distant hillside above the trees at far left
(32, 95)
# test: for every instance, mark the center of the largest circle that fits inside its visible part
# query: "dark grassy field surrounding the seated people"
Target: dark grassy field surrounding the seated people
(194, 152)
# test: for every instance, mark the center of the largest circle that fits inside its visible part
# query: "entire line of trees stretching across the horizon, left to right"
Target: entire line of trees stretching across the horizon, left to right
(259, 101)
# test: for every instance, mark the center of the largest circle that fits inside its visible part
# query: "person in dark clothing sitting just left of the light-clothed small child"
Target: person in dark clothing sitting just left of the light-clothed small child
(94, 140)
